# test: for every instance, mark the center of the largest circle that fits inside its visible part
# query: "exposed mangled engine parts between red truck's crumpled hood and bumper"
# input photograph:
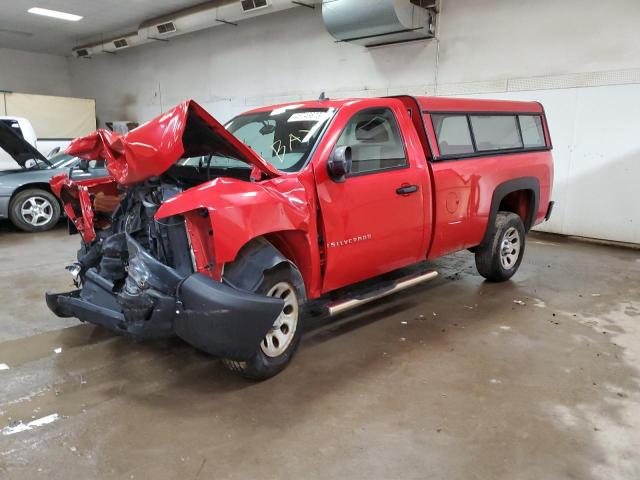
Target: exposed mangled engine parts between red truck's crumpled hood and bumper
(132, 234)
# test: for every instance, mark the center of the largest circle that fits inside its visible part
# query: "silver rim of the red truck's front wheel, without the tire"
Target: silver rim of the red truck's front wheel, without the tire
(279, 337)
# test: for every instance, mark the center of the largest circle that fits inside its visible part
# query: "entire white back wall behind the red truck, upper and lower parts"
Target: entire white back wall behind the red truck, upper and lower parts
(580, 60)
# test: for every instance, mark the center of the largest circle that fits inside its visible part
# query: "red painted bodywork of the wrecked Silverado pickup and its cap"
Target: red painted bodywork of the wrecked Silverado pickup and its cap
(336, 233)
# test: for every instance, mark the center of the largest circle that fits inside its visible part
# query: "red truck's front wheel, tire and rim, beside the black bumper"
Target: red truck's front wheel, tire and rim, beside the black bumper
(280, 343)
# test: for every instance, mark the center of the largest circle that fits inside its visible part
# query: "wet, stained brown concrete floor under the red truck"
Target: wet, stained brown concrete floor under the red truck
(450, 380)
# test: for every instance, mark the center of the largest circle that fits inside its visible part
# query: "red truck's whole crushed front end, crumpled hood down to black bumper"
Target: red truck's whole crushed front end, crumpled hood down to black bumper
(142, 276)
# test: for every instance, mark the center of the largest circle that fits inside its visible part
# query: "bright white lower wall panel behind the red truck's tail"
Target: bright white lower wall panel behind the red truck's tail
(597, 159)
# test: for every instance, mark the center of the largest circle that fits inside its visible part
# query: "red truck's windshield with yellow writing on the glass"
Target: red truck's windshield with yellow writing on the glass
(283, 137)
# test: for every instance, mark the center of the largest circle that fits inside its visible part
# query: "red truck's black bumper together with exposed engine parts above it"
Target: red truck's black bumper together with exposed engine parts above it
(136, 277)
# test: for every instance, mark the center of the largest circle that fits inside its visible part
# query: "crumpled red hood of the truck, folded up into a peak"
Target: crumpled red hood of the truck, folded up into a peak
(151, 149)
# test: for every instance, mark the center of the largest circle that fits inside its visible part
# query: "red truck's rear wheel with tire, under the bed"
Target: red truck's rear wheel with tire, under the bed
(497, 259)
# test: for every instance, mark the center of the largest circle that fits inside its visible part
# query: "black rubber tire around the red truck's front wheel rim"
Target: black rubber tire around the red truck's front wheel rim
(263, 366)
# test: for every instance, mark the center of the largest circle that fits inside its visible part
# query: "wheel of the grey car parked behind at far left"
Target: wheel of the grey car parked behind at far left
(49, 210)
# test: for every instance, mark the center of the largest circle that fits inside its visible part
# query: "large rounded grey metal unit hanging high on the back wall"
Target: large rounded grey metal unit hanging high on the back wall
(379, 22)
